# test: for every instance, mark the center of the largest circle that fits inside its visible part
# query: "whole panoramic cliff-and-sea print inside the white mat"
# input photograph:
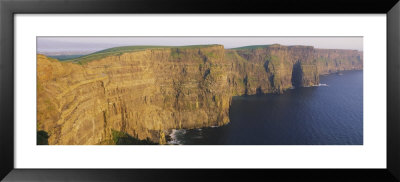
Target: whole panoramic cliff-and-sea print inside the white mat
(199, 90)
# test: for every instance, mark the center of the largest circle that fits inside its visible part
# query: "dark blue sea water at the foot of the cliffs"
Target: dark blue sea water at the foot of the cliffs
(322, 115)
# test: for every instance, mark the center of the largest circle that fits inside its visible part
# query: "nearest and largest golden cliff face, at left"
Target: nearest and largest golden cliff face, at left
(141, 93)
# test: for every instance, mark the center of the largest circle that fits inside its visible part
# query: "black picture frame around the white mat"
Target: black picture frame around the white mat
(9, 8)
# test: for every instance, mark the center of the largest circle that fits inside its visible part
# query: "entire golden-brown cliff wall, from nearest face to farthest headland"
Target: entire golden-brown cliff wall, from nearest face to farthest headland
(146, 93)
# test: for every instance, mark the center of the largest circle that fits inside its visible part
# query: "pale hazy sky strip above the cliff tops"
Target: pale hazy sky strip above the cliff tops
(77, 45)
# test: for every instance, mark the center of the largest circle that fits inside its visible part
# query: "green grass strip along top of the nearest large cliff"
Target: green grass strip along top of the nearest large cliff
(124, 49)
